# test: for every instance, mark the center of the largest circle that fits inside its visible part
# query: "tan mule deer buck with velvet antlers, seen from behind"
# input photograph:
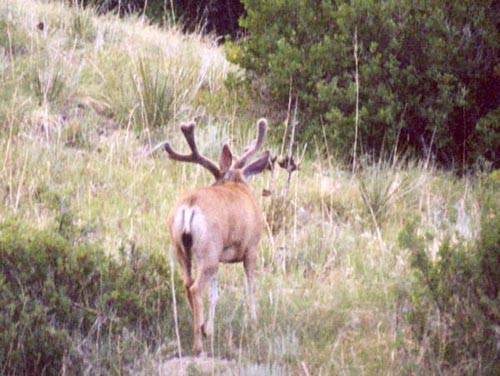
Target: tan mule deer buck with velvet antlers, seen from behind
(221, 223)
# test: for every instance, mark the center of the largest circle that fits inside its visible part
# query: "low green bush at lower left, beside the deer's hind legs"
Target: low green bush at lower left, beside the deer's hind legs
(53, 289)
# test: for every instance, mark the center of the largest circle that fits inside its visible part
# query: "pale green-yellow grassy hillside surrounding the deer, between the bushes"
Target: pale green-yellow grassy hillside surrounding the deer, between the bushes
(84, 99)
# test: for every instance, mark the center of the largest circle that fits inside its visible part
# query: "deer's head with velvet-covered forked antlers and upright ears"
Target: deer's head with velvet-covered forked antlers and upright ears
(229, 168)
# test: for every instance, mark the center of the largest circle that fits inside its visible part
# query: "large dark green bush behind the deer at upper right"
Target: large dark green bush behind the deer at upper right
(428, 71)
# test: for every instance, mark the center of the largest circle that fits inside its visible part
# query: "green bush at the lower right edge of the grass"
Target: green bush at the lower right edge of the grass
(455, 305)
